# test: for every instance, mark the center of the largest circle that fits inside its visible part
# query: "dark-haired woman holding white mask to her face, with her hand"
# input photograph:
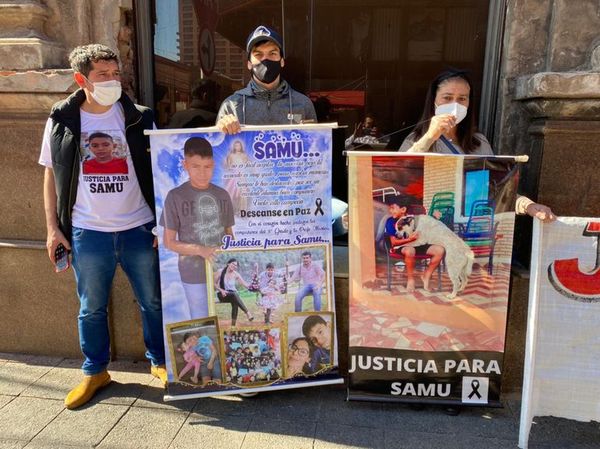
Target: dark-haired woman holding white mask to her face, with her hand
(447, 125)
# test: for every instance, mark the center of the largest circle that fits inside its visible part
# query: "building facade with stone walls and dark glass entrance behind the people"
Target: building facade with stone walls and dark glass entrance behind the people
(535, 65)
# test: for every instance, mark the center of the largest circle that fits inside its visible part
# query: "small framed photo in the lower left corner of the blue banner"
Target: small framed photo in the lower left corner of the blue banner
(195, 351)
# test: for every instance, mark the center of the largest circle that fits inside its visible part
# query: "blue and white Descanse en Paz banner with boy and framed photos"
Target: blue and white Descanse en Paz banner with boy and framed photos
(244, 238)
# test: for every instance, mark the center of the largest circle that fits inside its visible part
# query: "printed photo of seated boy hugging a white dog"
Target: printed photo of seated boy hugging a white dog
(442, 236)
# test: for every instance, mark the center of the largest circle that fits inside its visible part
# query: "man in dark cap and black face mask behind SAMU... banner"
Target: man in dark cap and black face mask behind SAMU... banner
(267, 99)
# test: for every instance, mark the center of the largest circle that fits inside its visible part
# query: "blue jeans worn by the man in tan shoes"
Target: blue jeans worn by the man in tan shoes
(95, 258)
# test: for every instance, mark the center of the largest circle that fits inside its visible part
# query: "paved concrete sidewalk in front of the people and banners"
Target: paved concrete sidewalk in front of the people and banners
(130, 413)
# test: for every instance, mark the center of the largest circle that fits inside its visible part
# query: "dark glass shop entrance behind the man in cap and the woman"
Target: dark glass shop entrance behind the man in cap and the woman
(352, 57)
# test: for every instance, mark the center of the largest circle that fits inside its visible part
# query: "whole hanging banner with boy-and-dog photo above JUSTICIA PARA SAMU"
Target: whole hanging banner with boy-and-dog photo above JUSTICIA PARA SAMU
(430, 250)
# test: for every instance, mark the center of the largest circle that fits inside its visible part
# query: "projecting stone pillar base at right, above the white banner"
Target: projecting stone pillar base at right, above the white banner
(564, 126)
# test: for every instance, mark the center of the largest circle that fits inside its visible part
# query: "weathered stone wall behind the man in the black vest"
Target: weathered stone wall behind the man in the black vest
(39, 306)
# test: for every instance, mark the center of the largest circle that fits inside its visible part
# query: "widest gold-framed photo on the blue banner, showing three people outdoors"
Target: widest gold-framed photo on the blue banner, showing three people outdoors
(267, 285)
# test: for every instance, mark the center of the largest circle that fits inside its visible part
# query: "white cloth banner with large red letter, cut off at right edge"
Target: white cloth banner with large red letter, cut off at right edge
(562, 357)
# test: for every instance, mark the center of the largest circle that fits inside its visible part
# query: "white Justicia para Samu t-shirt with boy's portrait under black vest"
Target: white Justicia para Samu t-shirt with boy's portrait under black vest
(109, 198)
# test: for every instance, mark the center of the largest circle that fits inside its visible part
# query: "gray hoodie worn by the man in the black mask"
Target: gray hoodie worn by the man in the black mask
(255, 105)
